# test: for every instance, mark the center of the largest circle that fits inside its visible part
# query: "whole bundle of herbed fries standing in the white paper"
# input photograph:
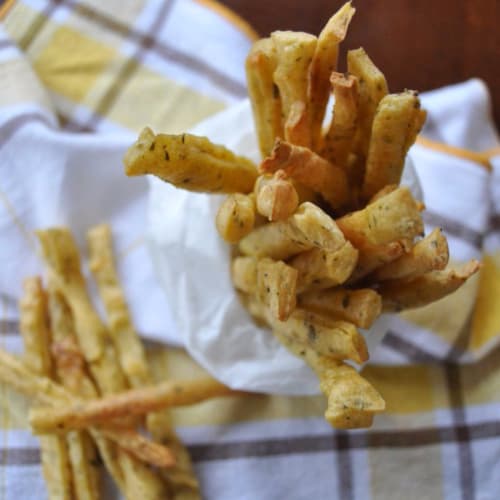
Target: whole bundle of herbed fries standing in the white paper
(324, 237)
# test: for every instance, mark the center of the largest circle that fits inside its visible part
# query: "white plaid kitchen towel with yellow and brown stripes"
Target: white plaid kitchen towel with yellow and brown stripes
(79, 79)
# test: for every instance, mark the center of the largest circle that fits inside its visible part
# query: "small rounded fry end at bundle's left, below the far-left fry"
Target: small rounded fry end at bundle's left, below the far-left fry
(235, 217)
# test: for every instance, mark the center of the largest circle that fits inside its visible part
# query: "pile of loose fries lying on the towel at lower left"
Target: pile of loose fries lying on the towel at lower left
(93, 390)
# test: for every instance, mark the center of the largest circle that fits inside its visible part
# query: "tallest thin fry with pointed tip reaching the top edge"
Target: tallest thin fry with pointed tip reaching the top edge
(323, 63)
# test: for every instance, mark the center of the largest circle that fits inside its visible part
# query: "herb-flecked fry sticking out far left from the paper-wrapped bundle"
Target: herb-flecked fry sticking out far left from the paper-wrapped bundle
(190, 162)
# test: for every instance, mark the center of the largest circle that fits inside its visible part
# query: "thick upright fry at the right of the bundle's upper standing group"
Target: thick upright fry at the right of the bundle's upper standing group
(394, 123)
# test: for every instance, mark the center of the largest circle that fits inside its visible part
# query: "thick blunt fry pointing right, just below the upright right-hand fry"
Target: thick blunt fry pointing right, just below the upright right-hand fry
(393, 217)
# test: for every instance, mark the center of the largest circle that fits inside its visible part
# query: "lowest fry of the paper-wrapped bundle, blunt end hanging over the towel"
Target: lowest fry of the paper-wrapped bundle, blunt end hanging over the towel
(352, 401)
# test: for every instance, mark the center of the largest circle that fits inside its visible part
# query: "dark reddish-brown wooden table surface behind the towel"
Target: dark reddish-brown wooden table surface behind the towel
(418, 44)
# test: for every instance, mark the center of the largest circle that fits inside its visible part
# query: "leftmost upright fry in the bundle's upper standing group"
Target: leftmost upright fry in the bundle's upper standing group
(264, 93)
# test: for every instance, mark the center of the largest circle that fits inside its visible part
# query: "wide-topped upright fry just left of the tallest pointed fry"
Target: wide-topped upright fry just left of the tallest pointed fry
(295, 51)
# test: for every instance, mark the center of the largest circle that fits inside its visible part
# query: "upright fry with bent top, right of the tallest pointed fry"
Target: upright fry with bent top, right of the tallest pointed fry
(372, 88)
